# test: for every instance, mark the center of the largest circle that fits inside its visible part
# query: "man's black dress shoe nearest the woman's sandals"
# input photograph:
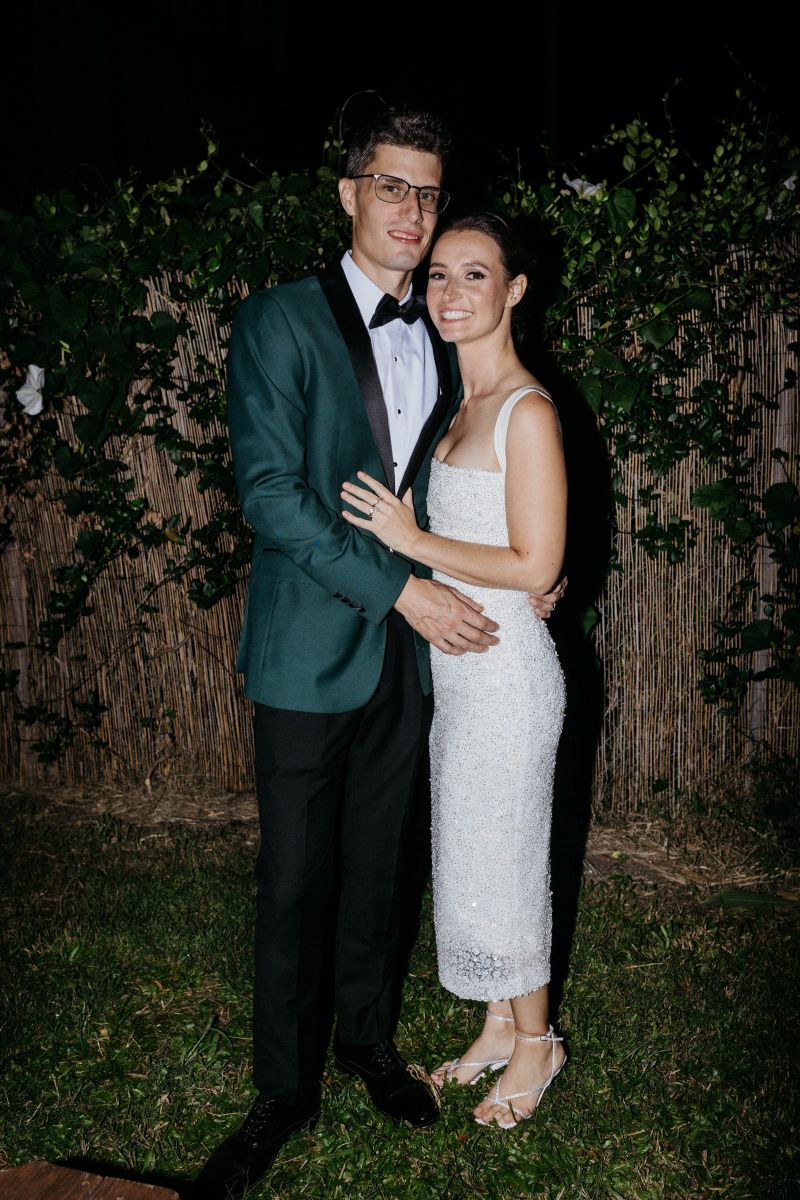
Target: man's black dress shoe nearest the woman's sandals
(393, 1088)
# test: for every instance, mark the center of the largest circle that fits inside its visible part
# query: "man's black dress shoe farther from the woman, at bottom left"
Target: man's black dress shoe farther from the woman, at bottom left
(243, 1159)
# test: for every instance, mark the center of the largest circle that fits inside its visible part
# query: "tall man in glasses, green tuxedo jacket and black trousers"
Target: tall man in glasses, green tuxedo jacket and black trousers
(328, 376)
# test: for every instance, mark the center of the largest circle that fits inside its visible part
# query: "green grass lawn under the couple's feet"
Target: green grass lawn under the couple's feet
(125, 991)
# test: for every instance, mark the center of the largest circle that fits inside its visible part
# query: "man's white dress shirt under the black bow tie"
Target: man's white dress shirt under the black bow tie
(407, 368)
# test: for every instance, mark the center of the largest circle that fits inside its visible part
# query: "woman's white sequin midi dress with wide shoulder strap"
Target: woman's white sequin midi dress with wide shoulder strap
(496, 730)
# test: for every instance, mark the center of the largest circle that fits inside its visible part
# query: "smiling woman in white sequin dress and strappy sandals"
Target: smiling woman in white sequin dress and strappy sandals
(497, 506)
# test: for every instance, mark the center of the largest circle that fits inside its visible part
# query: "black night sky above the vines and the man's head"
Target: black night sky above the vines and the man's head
(94, 91)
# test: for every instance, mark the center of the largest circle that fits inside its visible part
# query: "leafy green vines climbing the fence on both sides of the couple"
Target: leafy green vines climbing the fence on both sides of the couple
(643, 249)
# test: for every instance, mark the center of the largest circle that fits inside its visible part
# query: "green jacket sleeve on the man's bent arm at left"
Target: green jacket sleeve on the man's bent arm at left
(267, 419)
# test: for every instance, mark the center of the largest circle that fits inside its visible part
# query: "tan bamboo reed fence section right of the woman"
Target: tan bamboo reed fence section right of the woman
(655, 617)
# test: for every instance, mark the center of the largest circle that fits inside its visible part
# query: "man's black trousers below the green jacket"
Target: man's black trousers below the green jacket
(335, 795)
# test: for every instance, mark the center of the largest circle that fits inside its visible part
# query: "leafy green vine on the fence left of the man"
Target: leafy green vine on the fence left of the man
(73, 292)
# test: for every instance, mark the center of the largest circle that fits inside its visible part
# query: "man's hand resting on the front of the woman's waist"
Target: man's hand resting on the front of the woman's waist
(446, 617)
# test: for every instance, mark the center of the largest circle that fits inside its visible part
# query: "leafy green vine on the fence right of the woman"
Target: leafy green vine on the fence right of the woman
(671, 260)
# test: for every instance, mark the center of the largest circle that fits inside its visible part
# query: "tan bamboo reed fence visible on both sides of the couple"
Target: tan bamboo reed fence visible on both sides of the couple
(176, 709)
